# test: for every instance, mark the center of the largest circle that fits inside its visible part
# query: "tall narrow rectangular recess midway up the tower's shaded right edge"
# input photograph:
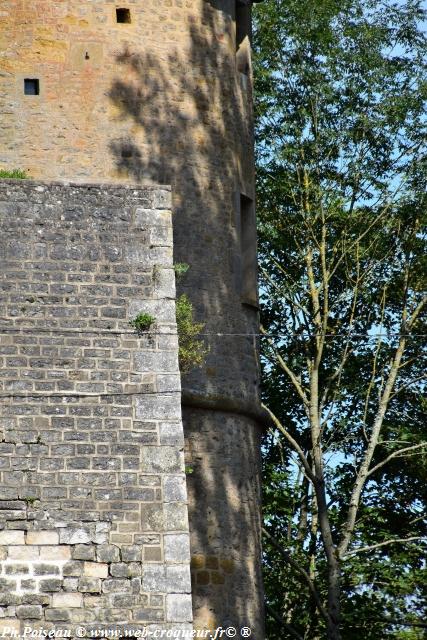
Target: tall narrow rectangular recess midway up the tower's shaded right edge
(248, 251)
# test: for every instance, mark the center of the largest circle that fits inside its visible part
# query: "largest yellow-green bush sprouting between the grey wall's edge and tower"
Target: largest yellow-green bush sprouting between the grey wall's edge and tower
(192, 351)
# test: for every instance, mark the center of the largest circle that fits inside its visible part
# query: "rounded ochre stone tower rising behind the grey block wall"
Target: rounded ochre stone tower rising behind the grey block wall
(166, 99)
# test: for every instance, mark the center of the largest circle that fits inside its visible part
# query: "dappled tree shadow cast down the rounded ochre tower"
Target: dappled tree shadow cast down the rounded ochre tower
(185, 122)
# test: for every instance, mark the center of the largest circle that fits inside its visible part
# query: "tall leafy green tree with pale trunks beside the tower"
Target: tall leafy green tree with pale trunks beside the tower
(341, 141)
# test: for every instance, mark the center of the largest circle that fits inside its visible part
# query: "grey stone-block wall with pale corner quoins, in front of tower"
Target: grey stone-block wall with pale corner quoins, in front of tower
(93, 511)
